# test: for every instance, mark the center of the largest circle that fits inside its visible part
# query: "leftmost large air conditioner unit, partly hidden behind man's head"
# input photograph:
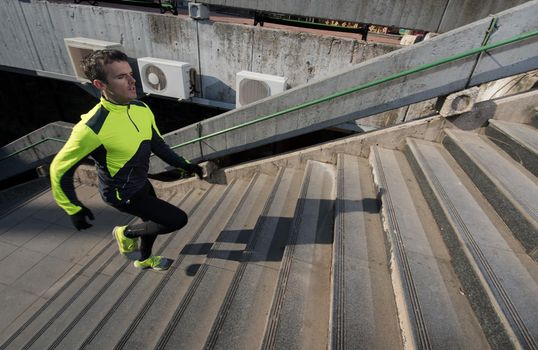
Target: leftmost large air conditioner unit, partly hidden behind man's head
(78, 48)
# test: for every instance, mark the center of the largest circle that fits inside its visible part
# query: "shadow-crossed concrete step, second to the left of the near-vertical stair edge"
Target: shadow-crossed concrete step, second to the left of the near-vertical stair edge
(242, 318)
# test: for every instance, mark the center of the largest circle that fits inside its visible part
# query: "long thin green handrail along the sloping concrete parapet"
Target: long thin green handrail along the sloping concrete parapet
(367, 85)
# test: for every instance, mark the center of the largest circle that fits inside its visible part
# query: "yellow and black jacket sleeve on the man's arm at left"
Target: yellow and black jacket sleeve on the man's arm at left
(79, 145)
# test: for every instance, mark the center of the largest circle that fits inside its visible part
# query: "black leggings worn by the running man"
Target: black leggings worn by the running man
(158, 216)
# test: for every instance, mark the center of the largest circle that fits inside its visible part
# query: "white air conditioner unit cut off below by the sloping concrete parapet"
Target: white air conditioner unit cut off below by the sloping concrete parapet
(251, 87)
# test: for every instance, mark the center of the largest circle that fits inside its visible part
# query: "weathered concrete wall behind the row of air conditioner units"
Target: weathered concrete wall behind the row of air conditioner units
(33, 31)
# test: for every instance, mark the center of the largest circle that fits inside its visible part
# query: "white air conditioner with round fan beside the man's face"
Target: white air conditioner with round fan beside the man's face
(165, 77)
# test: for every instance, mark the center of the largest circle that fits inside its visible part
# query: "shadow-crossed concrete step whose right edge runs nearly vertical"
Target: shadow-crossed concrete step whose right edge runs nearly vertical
(299, 316)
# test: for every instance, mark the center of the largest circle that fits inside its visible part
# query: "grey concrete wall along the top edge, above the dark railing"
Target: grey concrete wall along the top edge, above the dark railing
(431, 15)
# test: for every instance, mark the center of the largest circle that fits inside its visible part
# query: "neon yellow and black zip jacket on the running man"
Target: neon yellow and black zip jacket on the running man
(120, 138)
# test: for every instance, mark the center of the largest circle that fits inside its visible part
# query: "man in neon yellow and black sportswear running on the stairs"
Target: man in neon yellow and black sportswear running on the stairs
(120, 133)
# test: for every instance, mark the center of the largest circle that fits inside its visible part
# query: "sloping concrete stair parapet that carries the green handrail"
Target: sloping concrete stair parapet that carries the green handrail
(473, 70)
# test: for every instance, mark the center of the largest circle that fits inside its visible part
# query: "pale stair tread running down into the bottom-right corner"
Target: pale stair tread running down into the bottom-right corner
(511, 276)
